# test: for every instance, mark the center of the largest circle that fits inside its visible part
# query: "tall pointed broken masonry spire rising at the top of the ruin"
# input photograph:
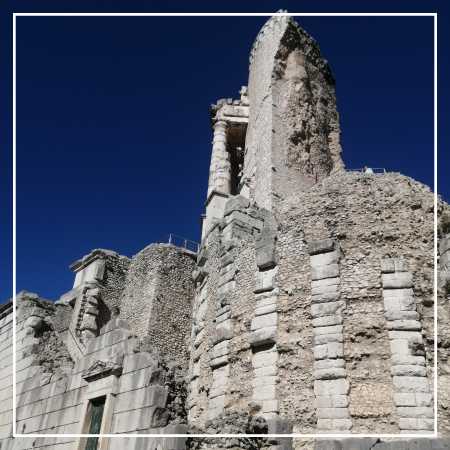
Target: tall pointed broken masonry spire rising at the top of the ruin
(289, 83)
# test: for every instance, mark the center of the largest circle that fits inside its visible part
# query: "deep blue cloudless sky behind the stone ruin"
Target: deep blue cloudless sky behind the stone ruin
(113, 135)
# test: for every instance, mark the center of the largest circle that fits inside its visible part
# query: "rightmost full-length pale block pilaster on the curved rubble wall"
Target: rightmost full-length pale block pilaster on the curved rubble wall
(412, 398)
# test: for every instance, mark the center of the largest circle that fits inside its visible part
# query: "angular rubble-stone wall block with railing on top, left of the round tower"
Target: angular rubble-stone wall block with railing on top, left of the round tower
(158, 297)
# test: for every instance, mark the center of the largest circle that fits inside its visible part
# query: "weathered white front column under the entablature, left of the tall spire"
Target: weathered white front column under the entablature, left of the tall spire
(220, 169)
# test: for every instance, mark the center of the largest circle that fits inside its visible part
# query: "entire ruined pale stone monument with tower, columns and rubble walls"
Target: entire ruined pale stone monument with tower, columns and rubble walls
(309, 307)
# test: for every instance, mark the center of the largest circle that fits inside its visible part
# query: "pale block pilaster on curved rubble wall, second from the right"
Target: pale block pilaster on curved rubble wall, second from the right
(331, 388)
